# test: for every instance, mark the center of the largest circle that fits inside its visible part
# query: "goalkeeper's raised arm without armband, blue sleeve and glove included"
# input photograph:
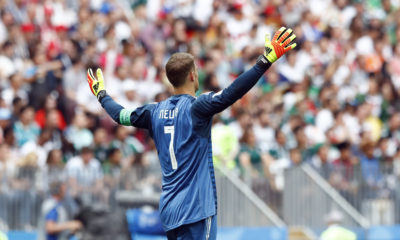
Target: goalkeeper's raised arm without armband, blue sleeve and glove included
(211, 103)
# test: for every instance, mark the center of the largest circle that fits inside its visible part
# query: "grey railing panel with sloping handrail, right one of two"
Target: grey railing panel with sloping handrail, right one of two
(308, 198)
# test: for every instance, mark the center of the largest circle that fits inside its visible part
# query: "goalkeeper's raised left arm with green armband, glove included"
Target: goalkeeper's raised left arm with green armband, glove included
(140, 117)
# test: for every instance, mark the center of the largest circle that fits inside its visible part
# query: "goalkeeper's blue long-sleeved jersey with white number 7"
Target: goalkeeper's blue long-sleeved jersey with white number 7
(181, 129)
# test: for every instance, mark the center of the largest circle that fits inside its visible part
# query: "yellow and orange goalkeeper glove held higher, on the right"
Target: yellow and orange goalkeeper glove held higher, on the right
(280, 44)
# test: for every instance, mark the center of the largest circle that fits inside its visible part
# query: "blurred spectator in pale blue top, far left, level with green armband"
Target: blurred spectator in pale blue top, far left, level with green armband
(26, 128)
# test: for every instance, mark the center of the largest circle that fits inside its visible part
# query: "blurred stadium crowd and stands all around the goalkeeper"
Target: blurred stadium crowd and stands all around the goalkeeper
(315, 143)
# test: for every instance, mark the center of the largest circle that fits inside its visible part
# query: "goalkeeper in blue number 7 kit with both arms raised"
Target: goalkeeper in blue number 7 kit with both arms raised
(181, 129)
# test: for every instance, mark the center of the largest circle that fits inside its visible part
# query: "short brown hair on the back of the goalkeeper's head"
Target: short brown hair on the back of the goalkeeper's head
(178, 67)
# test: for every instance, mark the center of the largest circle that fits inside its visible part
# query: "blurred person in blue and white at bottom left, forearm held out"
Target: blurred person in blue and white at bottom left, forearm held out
(54, 223)
